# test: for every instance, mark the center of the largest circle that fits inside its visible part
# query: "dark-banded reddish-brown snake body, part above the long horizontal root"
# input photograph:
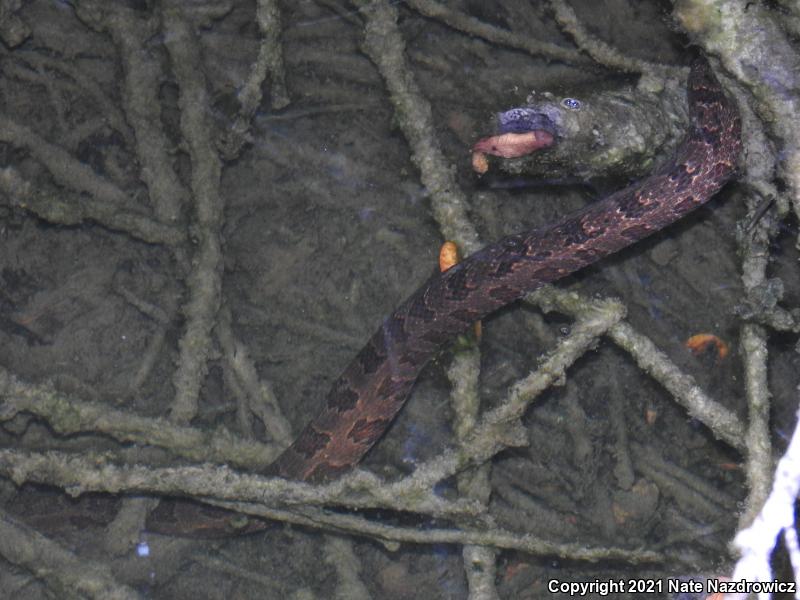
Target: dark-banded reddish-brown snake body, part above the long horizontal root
(364, 400)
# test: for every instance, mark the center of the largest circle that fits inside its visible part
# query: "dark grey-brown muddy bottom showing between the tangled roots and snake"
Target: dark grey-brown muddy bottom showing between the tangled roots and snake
(326, 228)
